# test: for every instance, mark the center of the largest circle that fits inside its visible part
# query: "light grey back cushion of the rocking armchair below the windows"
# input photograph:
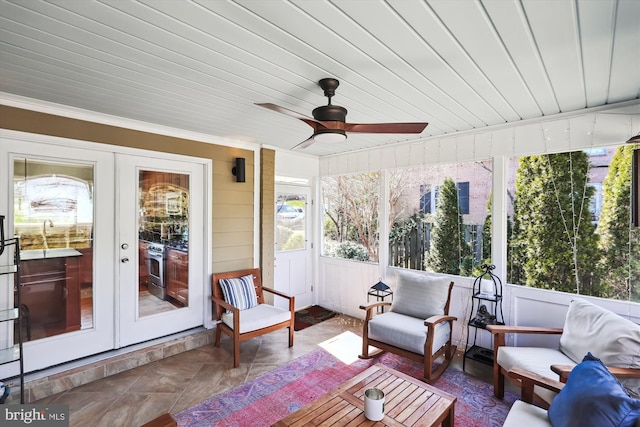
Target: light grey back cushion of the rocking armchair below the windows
(420, 295)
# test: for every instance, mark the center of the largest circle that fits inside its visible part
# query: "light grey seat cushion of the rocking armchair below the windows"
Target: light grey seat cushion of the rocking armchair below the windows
(406, 332)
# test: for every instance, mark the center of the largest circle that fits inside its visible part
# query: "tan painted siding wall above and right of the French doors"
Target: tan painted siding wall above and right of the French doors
(232, 202)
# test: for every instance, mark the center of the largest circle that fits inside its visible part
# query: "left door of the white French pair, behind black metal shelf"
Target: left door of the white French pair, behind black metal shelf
(61, 206)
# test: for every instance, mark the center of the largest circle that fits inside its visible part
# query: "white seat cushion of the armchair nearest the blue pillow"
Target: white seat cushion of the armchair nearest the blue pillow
(534, 359)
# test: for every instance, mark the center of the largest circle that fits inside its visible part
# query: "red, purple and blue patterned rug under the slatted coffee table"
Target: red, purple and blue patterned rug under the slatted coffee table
(284, 390)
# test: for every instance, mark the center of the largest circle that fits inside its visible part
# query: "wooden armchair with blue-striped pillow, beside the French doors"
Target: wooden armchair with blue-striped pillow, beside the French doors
(242, 323)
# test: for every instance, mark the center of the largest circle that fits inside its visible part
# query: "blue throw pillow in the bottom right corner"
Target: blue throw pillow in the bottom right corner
(593, 397)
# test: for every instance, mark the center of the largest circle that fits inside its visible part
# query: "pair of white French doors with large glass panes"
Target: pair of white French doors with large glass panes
(86, 218)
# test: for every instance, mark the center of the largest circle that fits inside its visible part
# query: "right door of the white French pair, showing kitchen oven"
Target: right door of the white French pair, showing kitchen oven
(160, 223)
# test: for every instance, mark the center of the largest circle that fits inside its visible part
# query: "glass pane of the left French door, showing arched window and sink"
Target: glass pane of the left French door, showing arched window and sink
(53, 216)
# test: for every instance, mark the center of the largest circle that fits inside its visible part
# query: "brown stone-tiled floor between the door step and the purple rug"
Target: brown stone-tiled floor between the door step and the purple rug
(136, 396)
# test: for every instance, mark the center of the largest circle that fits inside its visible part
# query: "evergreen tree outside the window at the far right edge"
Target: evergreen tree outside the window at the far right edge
(619, 239)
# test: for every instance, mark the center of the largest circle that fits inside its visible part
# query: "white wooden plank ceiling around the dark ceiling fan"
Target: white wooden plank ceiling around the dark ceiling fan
(200, 65)
